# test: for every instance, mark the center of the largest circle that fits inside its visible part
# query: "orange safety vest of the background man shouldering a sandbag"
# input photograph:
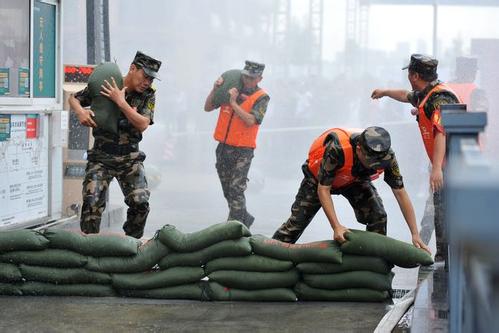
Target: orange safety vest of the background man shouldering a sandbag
(232, 130)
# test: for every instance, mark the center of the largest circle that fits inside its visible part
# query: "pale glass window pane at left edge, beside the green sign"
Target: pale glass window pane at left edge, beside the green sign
(14, 48)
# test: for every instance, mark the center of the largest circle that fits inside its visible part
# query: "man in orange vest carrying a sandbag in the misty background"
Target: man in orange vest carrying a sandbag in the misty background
(236, 132)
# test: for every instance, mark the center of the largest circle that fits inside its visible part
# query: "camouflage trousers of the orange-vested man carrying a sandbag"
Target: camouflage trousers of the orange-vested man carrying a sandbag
(233, 165)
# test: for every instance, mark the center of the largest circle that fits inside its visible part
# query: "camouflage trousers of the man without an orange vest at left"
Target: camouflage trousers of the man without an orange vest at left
(131, 177)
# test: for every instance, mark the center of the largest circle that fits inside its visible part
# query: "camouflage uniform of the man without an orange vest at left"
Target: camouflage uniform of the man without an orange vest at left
(117, 156)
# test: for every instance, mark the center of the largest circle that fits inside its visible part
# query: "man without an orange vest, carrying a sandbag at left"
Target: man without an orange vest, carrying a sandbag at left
(118, 155)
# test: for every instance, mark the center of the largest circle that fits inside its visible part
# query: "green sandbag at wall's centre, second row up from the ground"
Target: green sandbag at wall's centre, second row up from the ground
(255, 280)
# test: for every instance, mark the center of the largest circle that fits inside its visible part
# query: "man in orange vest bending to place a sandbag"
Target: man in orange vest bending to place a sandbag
(345, 161)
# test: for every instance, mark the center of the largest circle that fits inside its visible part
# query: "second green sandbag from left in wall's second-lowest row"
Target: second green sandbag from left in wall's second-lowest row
(63, 275)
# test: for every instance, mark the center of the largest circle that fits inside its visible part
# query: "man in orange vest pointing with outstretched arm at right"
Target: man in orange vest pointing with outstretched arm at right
(427, 95)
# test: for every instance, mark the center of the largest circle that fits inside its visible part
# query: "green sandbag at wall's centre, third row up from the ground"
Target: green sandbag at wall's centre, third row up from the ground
(252, 263)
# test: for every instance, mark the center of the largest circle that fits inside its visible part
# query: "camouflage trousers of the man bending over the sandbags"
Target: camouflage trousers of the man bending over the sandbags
(362, 196)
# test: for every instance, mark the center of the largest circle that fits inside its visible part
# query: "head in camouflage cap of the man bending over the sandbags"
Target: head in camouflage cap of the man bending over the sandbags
(375, 144)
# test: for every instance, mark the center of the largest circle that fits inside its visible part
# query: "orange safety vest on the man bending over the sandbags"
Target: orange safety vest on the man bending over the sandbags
(343, 176)
